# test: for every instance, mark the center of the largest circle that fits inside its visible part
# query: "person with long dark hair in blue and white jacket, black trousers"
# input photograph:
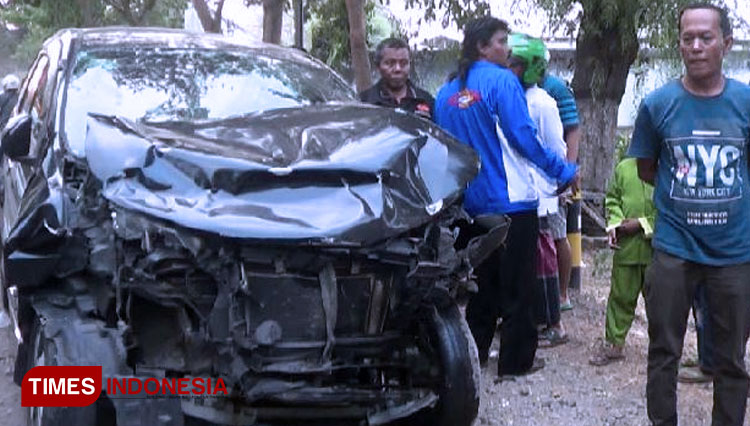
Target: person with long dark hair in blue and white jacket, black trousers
(484, 105)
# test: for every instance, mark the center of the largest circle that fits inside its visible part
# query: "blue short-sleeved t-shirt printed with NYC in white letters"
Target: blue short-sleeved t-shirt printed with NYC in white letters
(701, 191)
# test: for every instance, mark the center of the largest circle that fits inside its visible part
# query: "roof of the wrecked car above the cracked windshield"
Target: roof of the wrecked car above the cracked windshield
(175, 38)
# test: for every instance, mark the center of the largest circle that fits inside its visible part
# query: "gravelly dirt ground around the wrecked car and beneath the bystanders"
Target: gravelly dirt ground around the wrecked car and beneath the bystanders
(568, 391)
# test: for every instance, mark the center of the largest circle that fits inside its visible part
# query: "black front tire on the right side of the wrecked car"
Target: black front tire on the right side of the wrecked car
(459, 362)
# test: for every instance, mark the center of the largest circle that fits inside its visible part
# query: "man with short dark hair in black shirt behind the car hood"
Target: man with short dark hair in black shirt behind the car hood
(394, 89)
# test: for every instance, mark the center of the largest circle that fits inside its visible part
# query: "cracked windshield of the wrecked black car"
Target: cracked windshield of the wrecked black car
(157, 84)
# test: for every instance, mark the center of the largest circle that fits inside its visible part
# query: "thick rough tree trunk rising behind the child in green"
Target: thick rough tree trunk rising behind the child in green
(603, 59)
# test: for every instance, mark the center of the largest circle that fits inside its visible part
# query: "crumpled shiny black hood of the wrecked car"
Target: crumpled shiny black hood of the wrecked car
(329, 173)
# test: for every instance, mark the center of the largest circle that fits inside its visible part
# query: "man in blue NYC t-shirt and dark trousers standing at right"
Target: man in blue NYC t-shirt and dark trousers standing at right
(691, 139)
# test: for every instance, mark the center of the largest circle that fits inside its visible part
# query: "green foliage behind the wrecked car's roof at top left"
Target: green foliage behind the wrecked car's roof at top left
(42, 18)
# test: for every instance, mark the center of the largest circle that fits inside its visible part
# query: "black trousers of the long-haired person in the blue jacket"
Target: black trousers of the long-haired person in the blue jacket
(507, 289)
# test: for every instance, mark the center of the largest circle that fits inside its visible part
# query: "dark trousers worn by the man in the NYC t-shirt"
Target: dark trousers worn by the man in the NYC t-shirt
(670, 288)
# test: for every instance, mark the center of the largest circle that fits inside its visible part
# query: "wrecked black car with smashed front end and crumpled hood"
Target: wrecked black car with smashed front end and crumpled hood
(179, 205)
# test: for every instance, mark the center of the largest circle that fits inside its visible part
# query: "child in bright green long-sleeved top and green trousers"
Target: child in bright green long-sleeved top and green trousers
(630, 219)
